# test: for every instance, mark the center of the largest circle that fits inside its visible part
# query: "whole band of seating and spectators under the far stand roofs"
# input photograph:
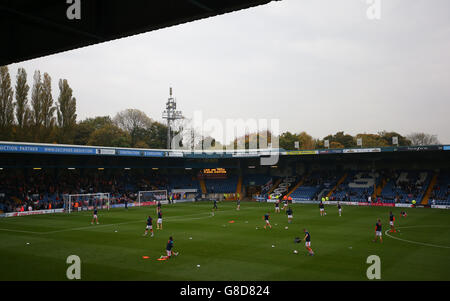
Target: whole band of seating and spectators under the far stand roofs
(40, 189)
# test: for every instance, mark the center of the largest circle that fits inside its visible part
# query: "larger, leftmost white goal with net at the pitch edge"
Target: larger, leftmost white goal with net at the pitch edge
(86, 201)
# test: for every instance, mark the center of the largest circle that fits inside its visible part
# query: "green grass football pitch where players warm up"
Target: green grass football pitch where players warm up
(215, 248)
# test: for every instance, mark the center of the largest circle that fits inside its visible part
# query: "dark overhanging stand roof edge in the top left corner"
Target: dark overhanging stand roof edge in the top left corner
(31, 29)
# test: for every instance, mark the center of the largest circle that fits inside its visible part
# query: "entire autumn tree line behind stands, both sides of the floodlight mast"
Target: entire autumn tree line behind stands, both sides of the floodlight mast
(34, 116)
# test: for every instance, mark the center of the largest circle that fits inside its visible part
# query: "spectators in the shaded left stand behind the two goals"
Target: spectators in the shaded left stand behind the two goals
(45, 190)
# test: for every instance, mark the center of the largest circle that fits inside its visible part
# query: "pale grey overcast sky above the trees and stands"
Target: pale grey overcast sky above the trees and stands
(319, 66)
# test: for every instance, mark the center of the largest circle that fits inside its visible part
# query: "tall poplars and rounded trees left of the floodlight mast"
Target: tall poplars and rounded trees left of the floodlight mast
(30, 114)
